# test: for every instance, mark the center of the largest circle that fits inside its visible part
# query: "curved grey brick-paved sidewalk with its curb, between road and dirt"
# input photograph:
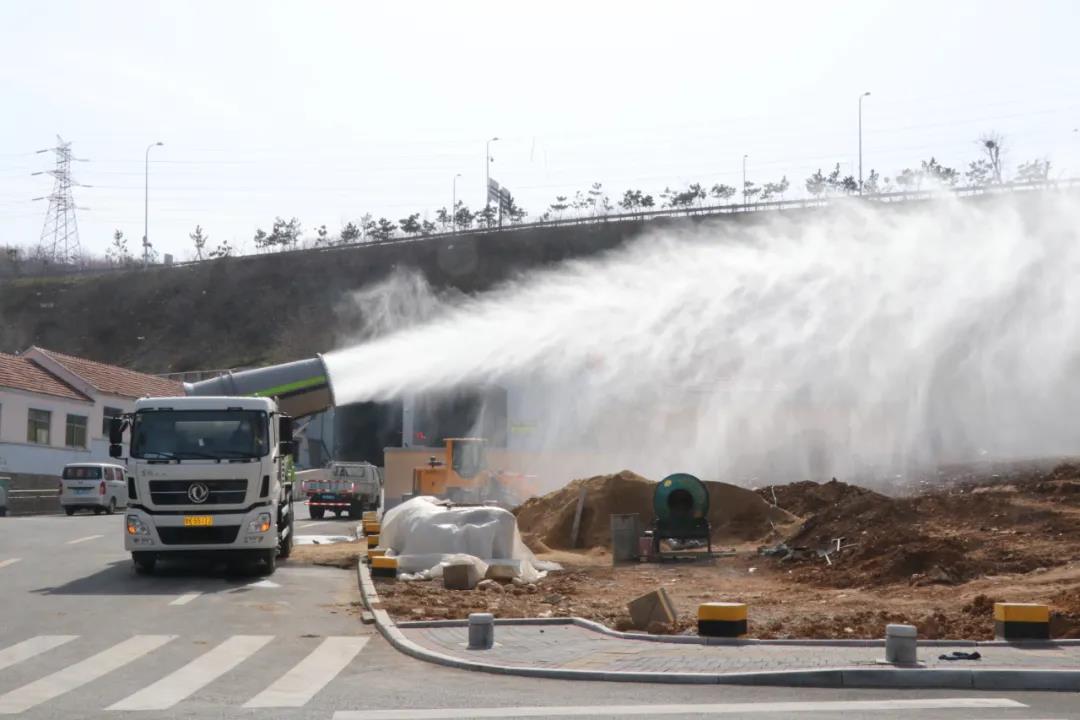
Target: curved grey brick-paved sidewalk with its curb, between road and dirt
(575, 649)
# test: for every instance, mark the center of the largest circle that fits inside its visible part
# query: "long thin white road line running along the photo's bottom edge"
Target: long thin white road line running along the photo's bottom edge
(726, 709)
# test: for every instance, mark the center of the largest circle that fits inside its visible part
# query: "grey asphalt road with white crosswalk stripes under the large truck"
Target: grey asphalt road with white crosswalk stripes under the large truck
(83, 636)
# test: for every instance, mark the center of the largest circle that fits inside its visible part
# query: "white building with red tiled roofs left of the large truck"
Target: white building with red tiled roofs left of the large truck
(55, 410)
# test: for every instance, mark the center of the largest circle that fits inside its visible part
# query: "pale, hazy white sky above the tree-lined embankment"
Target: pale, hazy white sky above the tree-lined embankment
(330, 111)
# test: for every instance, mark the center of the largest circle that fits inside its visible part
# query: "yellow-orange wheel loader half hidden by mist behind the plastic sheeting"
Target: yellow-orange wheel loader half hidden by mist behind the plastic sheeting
(465, 477)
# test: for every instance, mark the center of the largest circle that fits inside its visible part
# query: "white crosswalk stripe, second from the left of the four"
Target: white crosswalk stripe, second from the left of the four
(86, 672)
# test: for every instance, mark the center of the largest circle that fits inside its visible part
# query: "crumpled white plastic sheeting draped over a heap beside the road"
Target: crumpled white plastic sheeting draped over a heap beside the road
(426, 534)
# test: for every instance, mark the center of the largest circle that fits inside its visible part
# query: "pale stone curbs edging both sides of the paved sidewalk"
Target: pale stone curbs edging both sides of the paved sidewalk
(1066, 681)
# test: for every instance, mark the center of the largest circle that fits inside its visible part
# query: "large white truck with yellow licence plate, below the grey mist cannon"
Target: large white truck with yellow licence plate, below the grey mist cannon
(210, 476)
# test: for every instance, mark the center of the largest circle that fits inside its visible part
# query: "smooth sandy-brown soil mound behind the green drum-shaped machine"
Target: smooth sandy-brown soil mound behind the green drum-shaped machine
(546, 523)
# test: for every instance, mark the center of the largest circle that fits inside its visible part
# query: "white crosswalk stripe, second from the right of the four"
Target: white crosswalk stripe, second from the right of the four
(202, 671)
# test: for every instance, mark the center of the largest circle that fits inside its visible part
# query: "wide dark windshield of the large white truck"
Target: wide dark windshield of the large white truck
(202, 434)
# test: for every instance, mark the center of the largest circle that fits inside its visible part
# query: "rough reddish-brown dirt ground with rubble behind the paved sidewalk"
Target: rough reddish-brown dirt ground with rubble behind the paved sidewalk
(938, 560)
